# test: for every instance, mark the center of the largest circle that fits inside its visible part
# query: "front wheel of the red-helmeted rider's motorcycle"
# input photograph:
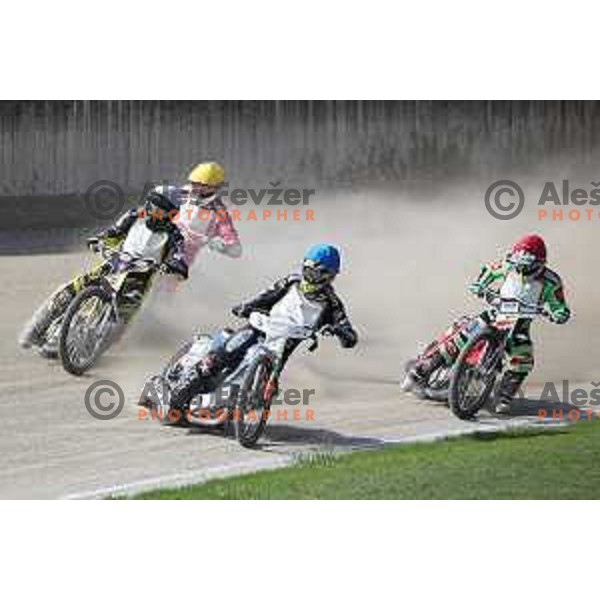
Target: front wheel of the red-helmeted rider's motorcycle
(476, 370)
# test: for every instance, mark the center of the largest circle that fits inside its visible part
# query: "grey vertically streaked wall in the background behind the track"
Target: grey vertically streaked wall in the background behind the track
(61, 148)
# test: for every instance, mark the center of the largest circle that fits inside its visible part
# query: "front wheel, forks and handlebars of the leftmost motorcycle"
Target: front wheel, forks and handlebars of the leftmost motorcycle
(98, 314)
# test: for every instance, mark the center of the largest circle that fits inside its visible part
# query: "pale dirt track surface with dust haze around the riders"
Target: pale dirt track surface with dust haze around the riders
(405, 274)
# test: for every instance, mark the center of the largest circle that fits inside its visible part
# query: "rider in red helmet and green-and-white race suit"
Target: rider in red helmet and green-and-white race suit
(523, 274)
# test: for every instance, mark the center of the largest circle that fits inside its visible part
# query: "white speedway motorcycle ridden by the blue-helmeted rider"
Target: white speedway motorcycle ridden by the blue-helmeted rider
(240, 395)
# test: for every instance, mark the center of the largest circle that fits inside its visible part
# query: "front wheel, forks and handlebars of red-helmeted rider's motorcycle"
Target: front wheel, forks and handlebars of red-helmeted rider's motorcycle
(480, 364)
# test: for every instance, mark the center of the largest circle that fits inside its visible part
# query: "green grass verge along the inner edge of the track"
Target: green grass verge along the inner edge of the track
(523, 464)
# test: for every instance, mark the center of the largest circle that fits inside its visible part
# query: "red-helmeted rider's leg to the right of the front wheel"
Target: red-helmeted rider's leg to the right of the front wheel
(520, 364)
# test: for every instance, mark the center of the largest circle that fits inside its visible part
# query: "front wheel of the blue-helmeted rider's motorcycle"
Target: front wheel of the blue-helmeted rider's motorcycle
(252, 407)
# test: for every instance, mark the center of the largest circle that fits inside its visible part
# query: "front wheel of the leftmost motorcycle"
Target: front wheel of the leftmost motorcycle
(85, 331)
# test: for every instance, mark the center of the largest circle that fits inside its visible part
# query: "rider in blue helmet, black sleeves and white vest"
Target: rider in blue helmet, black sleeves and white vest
(309, 298)
